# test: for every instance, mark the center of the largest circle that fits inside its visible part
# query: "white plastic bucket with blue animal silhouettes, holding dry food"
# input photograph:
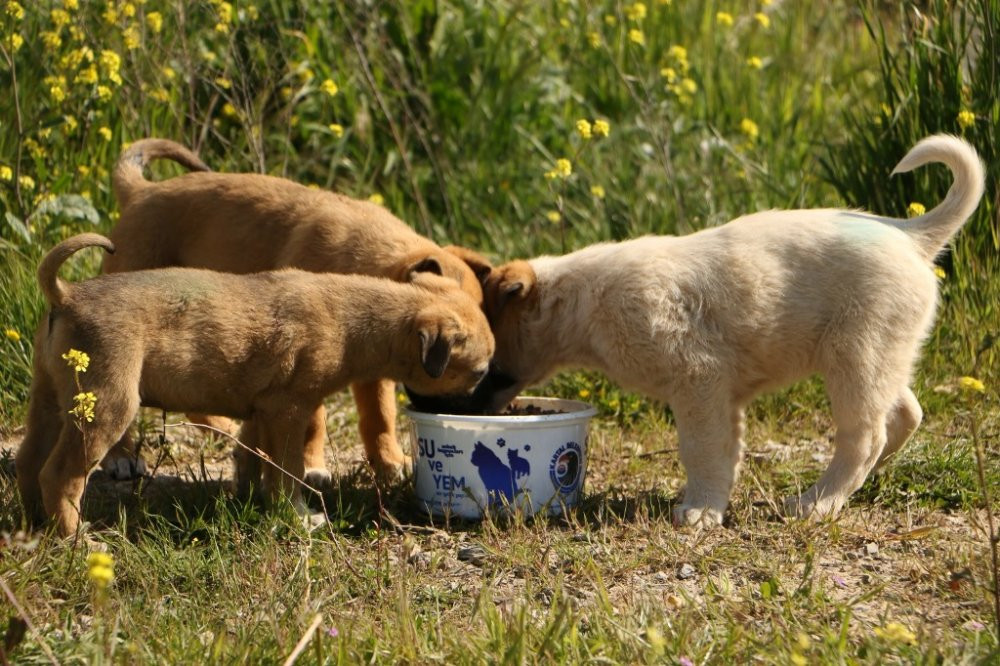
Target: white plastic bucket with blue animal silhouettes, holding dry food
(466, 465)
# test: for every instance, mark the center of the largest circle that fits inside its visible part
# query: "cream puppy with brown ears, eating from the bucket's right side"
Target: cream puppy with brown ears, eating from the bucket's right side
(706, 322)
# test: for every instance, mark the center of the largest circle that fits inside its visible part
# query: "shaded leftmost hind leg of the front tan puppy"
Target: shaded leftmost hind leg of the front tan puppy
(43, 428)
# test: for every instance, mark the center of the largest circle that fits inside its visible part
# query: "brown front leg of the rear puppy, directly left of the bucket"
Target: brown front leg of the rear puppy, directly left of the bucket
(376, 402)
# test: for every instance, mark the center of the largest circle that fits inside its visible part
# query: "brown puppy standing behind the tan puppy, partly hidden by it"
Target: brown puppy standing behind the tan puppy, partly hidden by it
(245, 223)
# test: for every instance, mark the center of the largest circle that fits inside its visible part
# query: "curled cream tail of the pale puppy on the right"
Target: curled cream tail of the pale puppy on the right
(934, 229)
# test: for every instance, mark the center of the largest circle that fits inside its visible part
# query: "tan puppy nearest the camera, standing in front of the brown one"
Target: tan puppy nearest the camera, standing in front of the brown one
(267, 347)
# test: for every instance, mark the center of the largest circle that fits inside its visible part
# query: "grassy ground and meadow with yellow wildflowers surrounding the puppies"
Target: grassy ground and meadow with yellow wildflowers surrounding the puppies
(452, 112)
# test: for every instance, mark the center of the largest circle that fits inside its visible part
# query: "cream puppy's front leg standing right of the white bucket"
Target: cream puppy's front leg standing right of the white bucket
(711, 449)
